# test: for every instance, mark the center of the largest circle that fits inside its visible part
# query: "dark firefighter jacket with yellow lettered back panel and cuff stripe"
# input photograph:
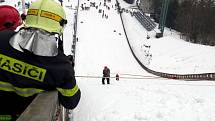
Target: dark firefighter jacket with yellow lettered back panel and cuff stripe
(27, 74)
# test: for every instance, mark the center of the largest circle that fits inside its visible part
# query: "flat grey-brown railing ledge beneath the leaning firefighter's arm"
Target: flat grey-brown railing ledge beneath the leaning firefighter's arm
(44, 107)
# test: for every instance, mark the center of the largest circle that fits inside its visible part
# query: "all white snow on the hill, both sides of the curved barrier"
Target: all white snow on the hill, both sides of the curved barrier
(138, 95)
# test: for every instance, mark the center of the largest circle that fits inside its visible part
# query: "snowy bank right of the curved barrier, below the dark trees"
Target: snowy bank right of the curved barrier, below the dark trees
(169, 54)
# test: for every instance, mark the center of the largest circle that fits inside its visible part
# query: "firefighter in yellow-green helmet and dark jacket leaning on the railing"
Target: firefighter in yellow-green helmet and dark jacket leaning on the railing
(30, 62)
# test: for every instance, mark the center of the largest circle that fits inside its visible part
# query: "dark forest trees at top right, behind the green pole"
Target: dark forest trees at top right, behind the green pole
(193, 18)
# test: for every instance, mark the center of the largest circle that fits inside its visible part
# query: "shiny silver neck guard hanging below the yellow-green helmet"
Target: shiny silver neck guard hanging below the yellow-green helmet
(36, 42)
